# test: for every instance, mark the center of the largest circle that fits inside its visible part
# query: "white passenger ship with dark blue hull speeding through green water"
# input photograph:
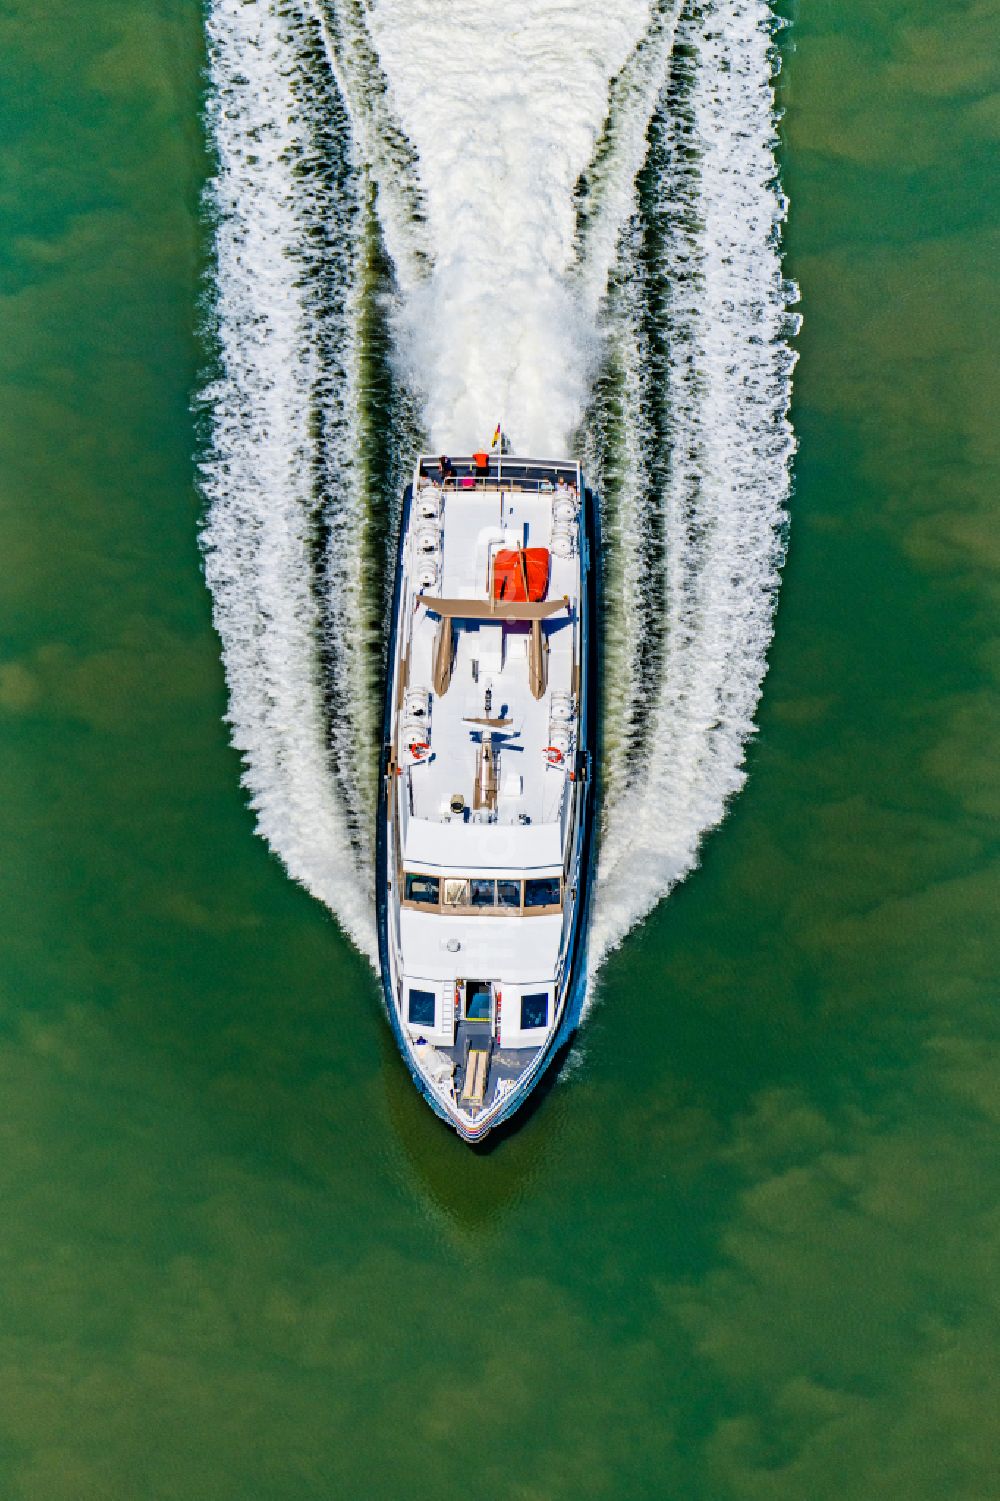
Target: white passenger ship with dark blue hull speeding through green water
(487, 790)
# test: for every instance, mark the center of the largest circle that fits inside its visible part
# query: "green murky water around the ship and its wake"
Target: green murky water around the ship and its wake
(748, 1251)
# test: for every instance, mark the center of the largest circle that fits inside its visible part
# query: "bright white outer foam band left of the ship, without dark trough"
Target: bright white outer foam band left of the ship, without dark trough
(259, 475)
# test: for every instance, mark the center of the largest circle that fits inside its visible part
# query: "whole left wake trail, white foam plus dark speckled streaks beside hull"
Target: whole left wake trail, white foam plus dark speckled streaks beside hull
(289, 528)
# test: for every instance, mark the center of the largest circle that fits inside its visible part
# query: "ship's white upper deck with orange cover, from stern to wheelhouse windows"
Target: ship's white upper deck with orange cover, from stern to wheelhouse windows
(489, 687)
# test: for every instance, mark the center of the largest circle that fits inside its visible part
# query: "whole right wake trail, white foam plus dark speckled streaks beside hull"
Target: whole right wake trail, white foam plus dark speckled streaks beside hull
(702, 295)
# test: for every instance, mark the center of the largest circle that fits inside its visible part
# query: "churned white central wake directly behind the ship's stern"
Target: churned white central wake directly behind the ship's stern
(505, 104)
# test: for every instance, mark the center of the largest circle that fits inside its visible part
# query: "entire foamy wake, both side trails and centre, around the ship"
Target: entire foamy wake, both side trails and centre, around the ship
(573, 226)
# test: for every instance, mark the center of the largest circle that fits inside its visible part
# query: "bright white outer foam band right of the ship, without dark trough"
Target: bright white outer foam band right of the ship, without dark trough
(726, 406)
